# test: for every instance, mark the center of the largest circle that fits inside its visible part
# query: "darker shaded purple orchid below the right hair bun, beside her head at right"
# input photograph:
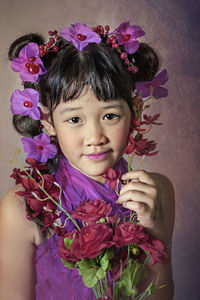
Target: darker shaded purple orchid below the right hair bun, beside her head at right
(158, 91)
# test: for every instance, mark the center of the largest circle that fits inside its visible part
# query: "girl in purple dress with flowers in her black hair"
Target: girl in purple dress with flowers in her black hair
(86, 81)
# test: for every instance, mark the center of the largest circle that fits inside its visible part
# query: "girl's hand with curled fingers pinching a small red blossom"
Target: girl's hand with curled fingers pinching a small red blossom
(141, 195)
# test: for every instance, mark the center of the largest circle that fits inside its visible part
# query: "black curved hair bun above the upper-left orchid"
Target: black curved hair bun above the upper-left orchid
(22, 41)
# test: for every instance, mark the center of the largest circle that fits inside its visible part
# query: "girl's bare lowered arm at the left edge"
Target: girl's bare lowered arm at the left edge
(17, 249)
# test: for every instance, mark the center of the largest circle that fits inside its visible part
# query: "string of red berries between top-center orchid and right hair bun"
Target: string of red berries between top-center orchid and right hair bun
(112, 41)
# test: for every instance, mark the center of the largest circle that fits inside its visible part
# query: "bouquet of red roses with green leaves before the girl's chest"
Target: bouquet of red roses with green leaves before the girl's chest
(110, 253)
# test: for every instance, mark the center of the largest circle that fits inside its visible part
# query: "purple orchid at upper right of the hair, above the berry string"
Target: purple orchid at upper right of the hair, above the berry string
(127, 35)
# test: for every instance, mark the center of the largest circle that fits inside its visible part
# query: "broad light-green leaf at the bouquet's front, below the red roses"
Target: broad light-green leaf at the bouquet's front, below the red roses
(90, 271)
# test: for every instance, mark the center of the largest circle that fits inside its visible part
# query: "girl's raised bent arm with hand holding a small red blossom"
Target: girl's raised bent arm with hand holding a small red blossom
(151, 195)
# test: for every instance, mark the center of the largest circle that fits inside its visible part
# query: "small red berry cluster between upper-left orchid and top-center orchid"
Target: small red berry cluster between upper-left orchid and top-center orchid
(51, 44)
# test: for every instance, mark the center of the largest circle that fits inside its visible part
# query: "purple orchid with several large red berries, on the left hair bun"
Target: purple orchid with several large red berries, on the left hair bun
(28, 63)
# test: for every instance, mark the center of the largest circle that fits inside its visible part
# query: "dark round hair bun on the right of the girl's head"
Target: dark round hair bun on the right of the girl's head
(147, 62)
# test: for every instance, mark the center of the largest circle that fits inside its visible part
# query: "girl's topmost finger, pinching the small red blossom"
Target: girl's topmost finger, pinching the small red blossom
(140, 175)
